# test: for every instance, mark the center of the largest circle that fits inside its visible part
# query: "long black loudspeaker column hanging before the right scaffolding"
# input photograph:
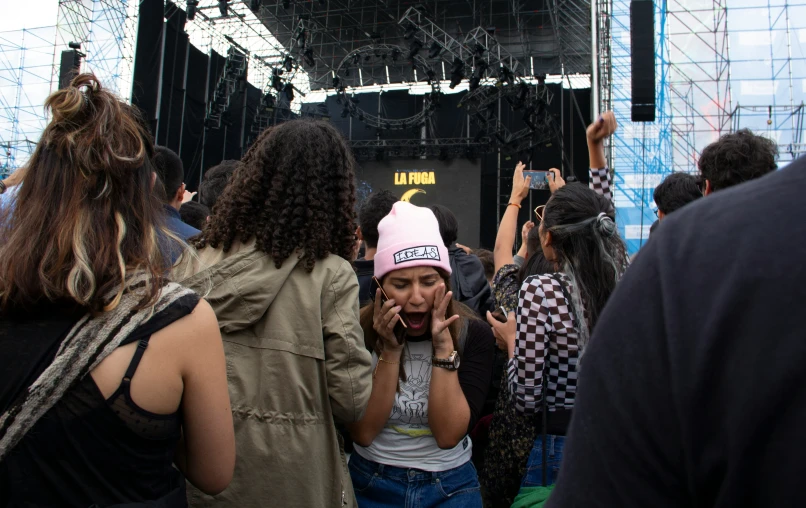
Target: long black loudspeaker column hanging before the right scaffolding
(642, 52)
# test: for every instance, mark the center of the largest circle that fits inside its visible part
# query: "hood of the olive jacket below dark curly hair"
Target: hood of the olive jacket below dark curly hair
(240, 284)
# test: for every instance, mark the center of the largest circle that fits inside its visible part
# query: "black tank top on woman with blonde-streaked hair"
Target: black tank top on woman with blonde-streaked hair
(86, 451)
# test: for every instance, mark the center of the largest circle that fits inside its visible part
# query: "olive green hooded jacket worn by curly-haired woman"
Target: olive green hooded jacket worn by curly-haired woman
(295, 361)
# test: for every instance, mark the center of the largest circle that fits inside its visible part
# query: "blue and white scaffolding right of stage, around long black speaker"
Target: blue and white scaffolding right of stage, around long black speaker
(722, 65)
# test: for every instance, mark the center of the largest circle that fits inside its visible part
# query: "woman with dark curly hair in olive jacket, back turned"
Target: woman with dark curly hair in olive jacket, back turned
(273, 261)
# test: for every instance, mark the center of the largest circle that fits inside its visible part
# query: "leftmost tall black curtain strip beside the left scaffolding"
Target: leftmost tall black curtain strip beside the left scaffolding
(148, 58)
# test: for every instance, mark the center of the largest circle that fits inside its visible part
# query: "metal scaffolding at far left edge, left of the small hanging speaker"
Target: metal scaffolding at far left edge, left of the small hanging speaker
(26, 63)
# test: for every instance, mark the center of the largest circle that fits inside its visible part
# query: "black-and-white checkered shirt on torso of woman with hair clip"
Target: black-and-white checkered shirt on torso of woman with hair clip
(545, 333)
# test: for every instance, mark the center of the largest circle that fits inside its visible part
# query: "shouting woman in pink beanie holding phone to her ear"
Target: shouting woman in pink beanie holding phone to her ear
(412, 447)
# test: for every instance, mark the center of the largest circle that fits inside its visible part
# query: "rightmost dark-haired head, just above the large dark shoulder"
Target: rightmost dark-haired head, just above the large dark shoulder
(736, 158)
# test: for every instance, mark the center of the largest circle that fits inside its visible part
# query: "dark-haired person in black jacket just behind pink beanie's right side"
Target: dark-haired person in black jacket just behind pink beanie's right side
(468, 280)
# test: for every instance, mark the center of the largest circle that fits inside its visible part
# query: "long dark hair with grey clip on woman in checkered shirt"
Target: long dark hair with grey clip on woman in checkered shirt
(587, 246)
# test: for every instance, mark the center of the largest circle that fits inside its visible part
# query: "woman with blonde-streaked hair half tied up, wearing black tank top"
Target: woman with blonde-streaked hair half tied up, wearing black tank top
(109, 374)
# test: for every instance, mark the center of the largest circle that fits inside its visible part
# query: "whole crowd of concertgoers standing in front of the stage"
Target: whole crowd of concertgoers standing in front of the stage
(266, 342)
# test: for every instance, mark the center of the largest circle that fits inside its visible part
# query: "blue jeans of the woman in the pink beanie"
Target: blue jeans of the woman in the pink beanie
(377, 485)
